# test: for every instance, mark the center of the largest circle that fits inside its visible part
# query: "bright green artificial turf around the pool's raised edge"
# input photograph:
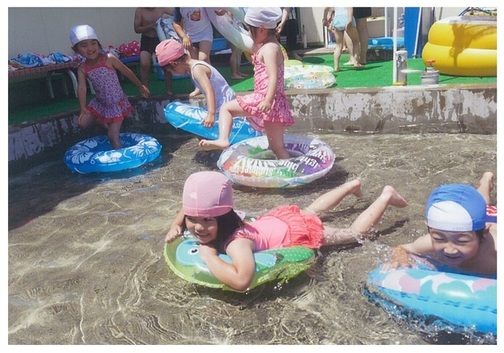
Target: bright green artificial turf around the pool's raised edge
(374, 74)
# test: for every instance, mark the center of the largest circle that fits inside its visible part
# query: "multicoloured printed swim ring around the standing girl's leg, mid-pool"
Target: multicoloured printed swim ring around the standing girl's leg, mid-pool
(251, 163)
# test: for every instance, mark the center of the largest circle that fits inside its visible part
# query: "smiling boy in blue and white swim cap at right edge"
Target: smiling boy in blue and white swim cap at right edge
(461, 234)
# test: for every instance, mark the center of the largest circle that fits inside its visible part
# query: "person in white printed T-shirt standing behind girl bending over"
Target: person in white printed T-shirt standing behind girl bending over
(194, 28)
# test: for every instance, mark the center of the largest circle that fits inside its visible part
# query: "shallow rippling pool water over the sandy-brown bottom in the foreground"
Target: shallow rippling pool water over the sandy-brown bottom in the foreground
(86, 259)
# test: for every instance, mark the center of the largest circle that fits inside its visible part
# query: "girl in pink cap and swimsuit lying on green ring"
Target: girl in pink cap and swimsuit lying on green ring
(207, 213)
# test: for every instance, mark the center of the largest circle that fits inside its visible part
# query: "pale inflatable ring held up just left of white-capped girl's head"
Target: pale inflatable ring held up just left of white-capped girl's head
(231, 27)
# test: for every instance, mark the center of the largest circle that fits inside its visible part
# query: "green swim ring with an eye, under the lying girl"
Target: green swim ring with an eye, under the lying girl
(182, 256)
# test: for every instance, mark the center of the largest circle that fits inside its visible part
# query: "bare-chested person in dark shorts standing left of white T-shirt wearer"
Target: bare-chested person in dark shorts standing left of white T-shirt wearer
(145, 24)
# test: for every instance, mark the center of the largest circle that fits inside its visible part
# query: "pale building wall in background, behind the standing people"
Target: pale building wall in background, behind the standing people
(45, 30)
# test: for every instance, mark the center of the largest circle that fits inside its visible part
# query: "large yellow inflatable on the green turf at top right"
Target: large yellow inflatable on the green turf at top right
(463, 46)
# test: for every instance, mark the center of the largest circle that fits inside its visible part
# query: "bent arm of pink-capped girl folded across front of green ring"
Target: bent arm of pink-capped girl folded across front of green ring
(240, 272)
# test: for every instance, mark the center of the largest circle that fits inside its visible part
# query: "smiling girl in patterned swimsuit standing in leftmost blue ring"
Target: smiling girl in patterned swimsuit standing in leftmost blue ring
(111, 105)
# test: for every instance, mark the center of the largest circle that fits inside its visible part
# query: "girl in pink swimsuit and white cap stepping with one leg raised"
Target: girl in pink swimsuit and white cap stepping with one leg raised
(267, 108)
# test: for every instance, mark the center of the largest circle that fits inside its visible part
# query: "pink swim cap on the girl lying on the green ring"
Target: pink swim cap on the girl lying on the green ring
(207, 194)
